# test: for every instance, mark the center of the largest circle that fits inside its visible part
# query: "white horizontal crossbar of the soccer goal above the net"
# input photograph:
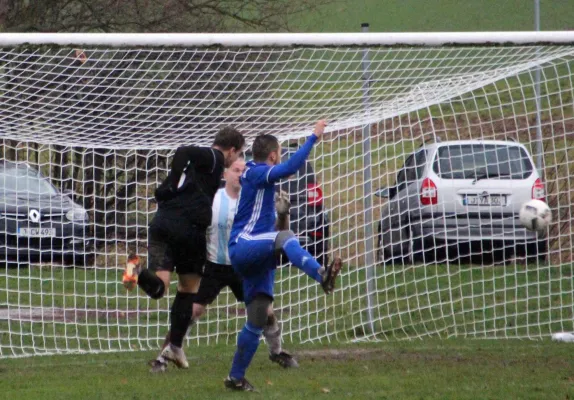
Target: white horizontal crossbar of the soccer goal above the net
(287, 39)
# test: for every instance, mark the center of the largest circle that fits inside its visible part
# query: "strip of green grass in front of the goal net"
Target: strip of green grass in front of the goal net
(429, 369)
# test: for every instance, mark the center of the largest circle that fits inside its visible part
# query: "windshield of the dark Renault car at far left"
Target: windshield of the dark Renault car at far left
(23, 181)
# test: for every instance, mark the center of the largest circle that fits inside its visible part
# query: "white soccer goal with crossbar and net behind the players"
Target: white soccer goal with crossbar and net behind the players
(434, 142)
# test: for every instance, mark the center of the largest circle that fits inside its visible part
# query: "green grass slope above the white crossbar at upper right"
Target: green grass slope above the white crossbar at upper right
(435, 15)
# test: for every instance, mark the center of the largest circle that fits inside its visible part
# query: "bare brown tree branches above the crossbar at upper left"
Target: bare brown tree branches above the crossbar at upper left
(151, 15)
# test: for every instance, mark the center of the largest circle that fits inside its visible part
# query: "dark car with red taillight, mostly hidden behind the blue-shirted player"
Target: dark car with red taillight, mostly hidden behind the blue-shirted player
(308, 219)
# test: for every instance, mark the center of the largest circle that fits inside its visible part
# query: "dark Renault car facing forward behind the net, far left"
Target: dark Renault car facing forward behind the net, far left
(38, 222)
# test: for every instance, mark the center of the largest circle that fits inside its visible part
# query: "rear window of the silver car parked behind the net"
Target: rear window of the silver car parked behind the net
(469, 161)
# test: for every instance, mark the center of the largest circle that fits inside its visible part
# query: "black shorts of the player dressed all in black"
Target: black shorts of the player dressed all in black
(176, 245)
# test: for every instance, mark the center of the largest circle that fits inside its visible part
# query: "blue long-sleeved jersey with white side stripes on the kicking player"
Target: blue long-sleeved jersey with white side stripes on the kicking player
(256, 208)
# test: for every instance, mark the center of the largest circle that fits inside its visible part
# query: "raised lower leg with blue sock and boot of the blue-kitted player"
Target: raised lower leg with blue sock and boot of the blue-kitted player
(287, 242)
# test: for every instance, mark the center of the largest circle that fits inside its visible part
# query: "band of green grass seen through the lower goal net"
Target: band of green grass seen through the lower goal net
(415, 301)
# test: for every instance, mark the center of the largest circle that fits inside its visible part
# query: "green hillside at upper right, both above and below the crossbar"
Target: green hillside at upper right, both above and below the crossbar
(333, 85)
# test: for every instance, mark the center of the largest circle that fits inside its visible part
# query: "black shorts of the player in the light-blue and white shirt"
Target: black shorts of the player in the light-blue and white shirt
(215, 278)
